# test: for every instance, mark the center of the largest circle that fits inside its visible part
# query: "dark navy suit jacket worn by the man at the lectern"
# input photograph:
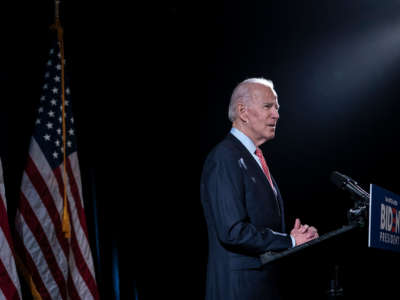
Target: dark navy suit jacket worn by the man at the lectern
(244, 219)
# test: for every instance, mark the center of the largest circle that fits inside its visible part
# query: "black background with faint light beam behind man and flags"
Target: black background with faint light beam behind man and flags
(151, 86)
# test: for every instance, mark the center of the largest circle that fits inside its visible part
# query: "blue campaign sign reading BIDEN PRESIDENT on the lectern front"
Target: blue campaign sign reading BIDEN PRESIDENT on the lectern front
(384, 219)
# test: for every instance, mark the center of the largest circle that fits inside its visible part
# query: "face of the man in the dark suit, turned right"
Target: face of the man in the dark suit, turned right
(262, 113)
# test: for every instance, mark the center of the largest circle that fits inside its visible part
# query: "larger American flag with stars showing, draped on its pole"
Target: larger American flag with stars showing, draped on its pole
(56, 267)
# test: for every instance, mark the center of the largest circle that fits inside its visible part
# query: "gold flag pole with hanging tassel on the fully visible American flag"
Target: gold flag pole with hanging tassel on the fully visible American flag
(66, 225)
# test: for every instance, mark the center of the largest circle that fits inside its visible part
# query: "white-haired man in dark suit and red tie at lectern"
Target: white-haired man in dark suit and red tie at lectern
(242, 203)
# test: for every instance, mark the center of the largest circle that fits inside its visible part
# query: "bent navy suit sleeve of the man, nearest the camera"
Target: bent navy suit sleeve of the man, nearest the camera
(224, 192)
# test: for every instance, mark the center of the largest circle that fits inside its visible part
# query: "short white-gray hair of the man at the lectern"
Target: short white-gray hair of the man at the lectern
(243, 91)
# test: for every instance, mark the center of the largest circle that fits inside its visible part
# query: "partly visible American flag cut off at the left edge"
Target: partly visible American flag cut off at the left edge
(9, 283)
